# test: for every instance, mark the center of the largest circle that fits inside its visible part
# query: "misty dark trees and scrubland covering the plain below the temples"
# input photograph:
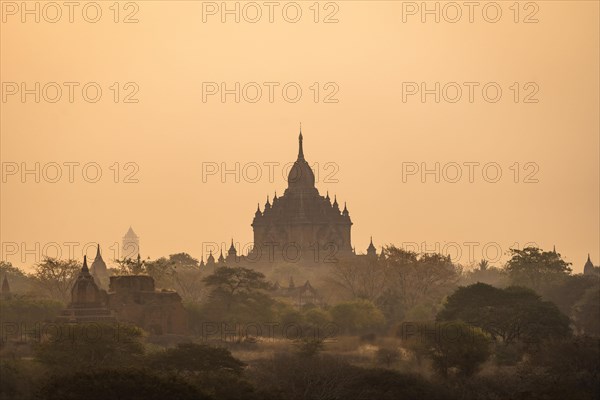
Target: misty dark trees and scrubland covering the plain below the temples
(398, 325)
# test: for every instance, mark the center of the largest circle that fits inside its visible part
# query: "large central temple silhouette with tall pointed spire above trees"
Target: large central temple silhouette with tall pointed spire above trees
(301, 226)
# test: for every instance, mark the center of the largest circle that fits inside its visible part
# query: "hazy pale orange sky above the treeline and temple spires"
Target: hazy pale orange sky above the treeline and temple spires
(366, 129)
